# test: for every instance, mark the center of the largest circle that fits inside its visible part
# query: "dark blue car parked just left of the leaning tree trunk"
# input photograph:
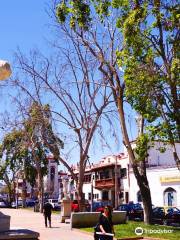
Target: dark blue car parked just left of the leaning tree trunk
(134, 211)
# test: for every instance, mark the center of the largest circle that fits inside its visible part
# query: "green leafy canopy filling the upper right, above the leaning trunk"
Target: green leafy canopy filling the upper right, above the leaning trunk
(149, 56)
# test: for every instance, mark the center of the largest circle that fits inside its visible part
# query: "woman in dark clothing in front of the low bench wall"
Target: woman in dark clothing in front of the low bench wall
(106, 225)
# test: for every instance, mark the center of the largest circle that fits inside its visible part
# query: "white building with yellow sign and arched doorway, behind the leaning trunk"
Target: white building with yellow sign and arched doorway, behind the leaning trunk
(163, 177)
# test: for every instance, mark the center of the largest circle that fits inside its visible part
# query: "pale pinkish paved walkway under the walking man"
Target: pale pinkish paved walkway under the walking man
(21, 218)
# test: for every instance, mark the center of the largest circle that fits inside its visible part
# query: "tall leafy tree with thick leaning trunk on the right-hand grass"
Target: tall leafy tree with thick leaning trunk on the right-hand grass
(143, 57)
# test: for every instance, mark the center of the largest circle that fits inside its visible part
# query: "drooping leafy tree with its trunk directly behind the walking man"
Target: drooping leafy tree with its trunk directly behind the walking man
(40, 140)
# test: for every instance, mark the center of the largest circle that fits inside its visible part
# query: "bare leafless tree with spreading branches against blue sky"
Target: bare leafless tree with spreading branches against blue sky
(80, 102)
